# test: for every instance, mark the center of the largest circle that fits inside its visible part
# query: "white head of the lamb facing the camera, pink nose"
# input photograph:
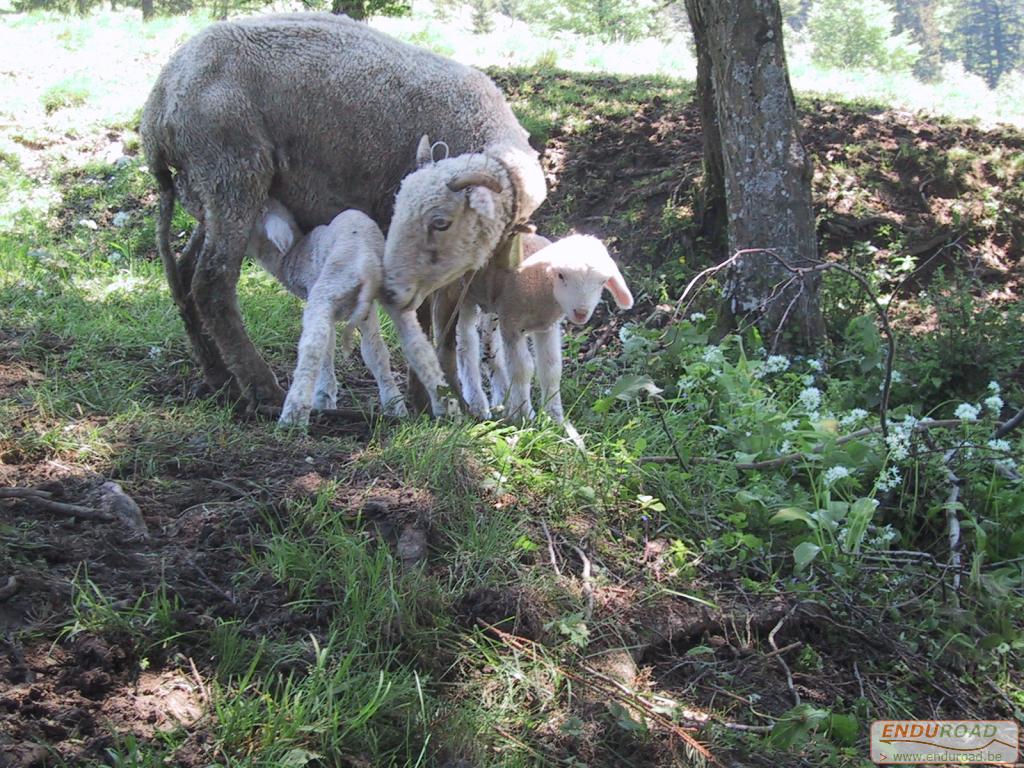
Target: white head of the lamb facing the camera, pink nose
(580, 269)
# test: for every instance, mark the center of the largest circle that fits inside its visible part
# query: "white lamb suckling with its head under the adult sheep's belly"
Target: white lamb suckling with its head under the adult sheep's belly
(337, 270)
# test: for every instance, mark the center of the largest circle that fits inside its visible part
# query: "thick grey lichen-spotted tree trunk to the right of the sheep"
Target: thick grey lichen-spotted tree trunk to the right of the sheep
(767, 176)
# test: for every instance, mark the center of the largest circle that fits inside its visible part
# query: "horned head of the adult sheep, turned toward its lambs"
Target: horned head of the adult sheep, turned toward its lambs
(449, 219)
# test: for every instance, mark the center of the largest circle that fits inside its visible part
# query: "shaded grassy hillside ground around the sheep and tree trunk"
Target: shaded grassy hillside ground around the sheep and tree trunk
(739, 558)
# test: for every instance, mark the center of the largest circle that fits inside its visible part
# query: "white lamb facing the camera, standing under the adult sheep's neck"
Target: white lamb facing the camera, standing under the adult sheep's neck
(554, 281)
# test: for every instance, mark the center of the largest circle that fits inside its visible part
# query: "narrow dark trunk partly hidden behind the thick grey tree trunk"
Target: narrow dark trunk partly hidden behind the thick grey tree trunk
(711, 208)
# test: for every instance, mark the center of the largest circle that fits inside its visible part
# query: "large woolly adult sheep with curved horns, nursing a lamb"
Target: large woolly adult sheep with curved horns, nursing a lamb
(326, 114)
